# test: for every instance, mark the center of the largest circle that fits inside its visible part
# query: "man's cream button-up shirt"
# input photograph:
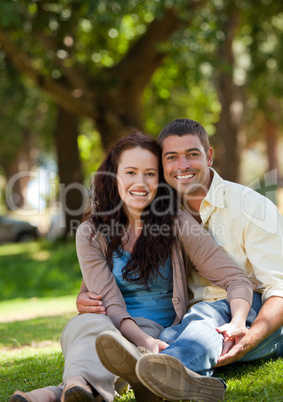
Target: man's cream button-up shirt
(249, 228)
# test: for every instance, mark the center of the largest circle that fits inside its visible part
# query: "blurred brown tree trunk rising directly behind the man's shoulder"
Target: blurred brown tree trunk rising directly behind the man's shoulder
(227, 138)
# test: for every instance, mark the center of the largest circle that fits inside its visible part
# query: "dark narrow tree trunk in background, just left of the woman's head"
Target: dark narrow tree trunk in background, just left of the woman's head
(72, 191)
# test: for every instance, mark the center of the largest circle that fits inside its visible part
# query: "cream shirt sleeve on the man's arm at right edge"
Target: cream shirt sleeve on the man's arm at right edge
(263, 239)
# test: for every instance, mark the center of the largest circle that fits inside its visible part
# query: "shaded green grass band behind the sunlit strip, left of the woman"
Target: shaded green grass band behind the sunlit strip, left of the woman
(40, 269)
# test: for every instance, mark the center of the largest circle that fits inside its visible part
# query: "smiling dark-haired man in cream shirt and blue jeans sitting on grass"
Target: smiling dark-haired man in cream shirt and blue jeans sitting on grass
(249, 228)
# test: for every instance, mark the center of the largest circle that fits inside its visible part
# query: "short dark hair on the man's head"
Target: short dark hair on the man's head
(182, 127)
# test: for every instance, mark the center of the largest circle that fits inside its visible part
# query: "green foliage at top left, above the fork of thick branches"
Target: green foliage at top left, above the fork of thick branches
(90, 34)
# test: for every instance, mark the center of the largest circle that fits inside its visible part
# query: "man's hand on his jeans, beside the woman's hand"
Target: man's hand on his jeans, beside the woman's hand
(243, 343)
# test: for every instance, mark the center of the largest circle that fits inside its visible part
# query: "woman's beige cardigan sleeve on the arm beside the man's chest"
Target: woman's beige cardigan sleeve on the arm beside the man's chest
(210, 261)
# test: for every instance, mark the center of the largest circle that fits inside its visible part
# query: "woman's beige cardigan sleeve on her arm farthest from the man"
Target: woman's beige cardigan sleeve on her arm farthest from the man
(97, 274)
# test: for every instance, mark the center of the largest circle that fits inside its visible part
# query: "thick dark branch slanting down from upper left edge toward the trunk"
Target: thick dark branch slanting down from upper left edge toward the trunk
(61, 95)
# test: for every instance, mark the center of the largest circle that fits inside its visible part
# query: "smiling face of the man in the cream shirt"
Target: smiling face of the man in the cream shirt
(186, 164)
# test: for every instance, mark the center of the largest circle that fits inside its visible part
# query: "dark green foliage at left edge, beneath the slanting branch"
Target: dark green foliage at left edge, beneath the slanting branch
(27, 117)
